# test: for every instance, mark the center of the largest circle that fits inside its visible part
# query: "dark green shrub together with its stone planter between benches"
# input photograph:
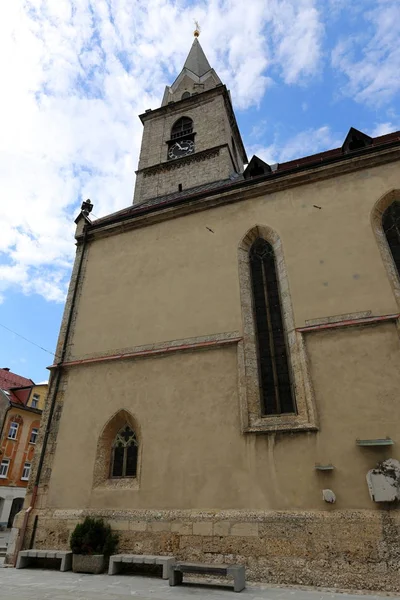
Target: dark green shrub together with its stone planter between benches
(92, 538)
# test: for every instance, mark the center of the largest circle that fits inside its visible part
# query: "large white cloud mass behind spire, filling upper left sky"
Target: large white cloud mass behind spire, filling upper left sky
(76, 74)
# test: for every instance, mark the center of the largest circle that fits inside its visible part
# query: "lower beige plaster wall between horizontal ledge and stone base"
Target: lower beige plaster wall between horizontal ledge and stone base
(193, 454)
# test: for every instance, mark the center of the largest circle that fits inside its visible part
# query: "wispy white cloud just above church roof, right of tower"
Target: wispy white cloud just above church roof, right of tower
(304, 143)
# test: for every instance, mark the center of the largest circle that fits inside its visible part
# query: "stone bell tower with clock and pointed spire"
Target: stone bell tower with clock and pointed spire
(193, 139)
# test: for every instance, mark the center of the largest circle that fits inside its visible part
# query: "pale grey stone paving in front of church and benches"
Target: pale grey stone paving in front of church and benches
(38, 584)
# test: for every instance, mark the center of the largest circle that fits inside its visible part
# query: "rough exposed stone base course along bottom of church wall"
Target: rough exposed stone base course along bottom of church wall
(341, 549)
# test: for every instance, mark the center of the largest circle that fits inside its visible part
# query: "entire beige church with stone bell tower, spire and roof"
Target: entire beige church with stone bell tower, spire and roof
(226, 387)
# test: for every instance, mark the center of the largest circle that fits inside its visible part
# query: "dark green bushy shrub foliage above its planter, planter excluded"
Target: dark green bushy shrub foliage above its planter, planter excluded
(93, 536)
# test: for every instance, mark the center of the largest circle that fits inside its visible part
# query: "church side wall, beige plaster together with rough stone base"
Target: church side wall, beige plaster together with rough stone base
(205, 490)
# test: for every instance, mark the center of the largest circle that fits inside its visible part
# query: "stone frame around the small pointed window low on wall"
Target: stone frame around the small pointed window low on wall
(102, 478)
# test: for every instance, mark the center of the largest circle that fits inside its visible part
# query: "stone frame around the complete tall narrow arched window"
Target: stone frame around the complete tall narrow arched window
(252, 420)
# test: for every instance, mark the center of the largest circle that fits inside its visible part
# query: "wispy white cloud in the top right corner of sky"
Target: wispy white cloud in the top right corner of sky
(370, 60)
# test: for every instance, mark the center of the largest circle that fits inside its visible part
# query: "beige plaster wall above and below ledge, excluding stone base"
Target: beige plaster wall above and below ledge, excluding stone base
(177, 280)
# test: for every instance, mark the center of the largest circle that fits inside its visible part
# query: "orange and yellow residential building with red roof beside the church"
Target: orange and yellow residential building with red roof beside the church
(21, 408)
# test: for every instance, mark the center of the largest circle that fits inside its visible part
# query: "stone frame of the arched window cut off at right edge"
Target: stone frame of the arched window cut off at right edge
(376, 222)
